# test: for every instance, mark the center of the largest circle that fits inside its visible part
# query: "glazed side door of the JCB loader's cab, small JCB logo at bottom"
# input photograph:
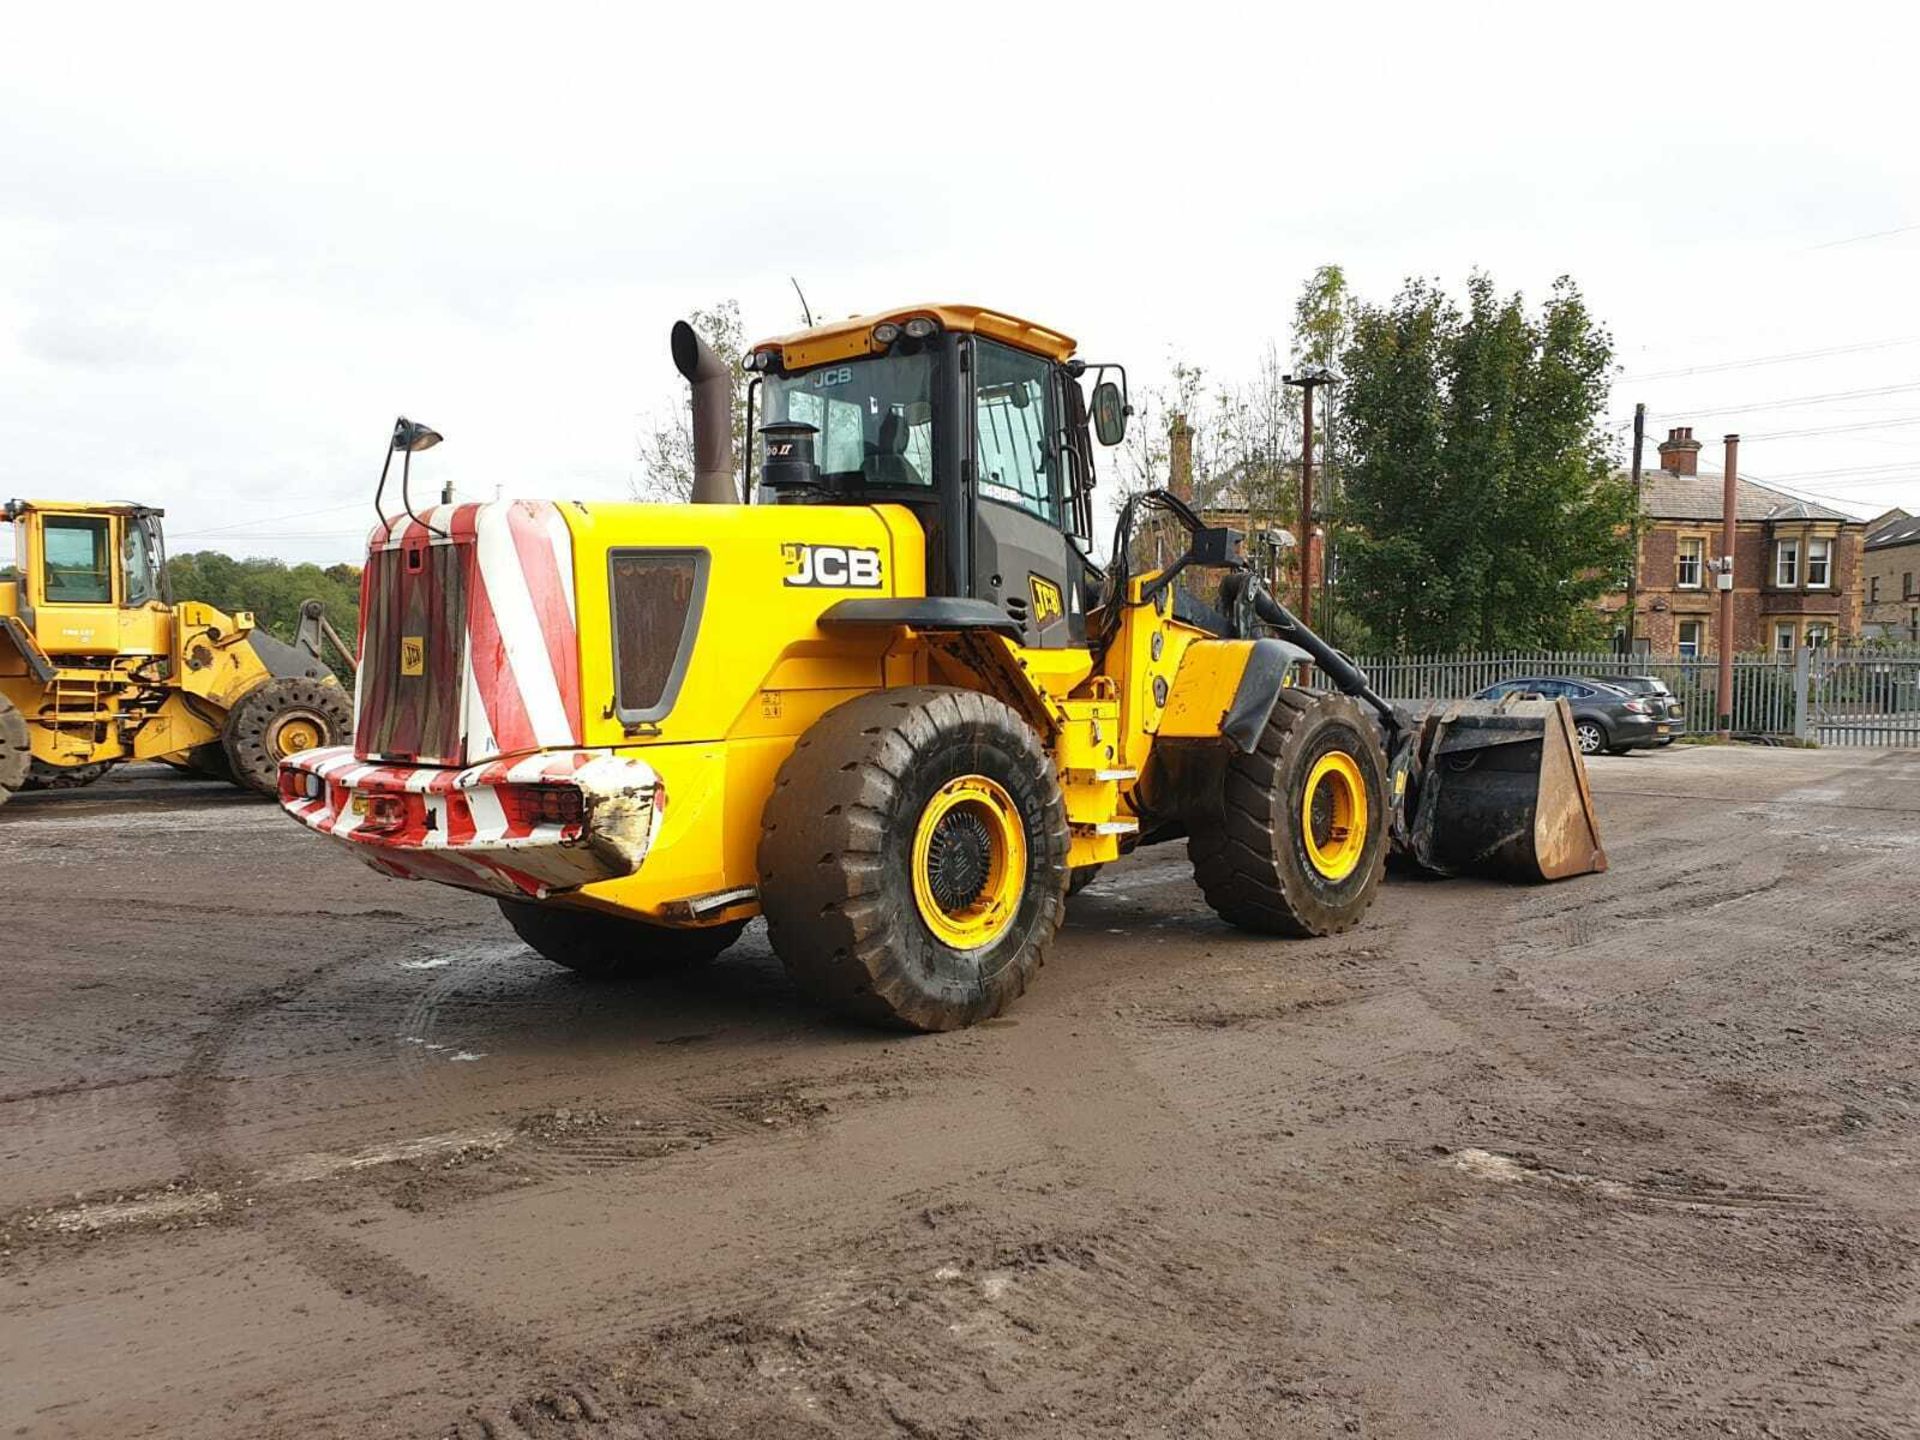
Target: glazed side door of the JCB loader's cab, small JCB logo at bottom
(1022, 556)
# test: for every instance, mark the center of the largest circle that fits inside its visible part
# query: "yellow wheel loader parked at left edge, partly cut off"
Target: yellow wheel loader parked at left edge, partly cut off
(99, 665)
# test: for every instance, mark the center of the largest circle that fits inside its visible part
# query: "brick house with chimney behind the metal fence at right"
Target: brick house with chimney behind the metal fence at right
(1796, 564)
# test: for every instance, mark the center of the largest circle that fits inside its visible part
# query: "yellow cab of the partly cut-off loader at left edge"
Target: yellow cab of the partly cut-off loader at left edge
(91, 581)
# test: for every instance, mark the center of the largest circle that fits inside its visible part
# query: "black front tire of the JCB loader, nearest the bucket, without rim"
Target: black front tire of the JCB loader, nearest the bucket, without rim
(1253, 867)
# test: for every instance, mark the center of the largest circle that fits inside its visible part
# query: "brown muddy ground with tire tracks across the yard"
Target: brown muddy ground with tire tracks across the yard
(295, 1151)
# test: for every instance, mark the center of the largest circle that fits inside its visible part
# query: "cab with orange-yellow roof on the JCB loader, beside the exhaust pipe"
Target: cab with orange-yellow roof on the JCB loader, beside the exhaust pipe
(971, 420)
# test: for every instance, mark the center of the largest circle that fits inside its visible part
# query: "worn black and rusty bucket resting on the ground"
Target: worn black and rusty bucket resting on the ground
(1502, 792)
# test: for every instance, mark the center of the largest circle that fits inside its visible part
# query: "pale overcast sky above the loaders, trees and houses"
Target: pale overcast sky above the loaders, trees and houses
(237, 243)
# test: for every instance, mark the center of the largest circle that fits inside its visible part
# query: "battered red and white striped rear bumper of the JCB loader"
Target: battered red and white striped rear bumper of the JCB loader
(523, 828)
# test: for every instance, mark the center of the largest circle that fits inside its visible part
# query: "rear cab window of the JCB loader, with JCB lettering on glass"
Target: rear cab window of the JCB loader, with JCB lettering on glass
(875, 418)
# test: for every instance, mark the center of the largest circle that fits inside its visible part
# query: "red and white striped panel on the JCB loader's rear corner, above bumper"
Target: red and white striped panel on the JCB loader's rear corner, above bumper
(521, 684)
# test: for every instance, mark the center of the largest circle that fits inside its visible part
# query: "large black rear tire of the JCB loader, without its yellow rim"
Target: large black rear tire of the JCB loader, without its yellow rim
(836, 857)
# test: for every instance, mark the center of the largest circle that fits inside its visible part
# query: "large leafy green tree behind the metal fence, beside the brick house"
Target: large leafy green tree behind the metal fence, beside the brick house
(1477, 477)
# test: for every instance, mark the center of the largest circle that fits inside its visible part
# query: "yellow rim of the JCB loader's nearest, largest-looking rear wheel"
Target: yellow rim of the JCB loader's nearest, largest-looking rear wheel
(971, 863)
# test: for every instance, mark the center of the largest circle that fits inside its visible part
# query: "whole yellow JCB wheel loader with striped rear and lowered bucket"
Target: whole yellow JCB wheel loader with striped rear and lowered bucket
(888, 700)
